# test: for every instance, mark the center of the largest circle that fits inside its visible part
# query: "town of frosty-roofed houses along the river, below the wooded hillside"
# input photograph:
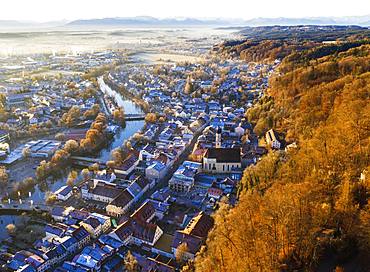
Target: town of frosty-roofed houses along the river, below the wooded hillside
(113, 163)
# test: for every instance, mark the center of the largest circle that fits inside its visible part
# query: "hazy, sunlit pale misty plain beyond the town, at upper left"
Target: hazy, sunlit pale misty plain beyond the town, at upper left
(75, 40)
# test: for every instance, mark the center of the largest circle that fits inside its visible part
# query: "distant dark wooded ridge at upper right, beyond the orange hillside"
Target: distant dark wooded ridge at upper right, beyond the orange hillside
(268, 43)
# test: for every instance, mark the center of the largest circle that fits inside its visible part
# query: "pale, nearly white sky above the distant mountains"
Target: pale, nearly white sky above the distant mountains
(55, 10)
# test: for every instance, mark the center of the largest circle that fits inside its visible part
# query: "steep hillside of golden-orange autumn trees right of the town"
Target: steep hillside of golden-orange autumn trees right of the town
(307, 208)
